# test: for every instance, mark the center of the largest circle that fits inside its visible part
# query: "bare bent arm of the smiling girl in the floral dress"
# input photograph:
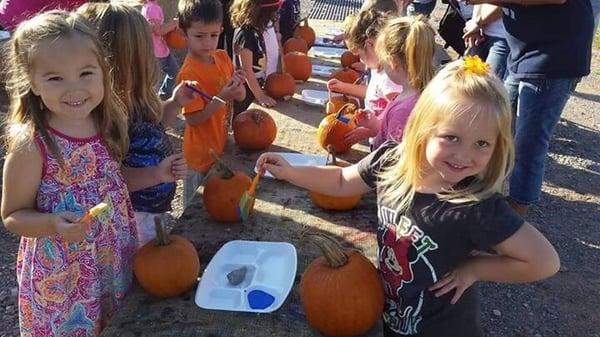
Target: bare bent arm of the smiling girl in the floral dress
(21, 180)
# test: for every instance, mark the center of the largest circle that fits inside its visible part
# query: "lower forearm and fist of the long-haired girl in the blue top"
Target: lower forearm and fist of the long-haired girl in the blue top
(169, 170)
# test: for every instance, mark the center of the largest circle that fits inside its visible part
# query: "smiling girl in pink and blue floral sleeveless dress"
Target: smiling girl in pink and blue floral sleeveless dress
(66, 134)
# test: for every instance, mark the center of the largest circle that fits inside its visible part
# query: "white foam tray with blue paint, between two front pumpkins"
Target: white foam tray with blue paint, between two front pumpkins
(268, 276)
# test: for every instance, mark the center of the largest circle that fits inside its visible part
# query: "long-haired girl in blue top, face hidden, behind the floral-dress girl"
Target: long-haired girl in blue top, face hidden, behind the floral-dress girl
(150, 167)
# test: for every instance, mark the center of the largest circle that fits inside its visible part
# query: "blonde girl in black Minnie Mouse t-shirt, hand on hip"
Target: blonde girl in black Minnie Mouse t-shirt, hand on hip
(438, 199)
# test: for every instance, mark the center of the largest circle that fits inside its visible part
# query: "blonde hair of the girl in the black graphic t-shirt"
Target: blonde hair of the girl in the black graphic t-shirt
(454, 91)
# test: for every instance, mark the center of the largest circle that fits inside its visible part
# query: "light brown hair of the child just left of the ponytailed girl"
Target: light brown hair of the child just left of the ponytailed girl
(362, 26)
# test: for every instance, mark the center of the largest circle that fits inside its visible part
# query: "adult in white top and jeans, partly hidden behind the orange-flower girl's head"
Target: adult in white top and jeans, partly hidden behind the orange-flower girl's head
(485, 36)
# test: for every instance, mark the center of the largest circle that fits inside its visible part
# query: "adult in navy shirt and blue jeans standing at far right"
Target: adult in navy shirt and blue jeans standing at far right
(550, 48)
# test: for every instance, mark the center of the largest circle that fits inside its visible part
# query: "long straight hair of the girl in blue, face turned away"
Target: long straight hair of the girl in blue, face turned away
(127, 39)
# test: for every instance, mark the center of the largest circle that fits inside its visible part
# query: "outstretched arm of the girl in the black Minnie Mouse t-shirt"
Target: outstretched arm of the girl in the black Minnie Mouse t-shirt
(331, 180)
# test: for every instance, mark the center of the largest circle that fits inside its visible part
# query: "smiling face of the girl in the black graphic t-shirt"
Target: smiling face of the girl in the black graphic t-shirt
(460, 148)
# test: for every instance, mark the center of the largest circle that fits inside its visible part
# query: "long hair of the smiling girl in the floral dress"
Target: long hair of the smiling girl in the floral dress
(26, 113)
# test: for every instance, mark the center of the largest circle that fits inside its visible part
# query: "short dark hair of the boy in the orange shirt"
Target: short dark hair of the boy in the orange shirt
(205, 11)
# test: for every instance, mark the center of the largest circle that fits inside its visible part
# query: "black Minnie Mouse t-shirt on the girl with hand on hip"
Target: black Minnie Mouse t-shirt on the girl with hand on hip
(417, 248)
